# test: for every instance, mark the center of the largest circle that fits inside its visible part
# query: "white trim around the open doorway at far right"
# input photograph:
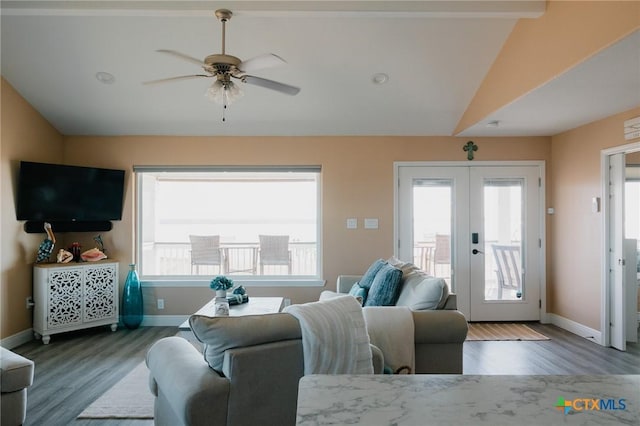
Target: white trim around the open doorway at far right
(605, 285)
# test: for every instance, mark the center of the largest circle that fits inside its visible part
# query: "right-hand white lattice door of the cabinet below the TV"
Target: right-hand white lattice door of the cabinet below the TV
(100, 293)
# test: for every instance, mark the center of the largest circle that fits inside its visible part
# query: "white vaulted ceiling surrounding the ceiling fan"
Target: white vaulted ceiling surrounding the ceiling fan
(435, 54)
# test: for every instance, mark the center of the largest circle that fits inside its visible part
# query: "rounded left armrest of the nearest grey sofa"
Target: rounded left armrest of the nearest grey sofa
(196, 393)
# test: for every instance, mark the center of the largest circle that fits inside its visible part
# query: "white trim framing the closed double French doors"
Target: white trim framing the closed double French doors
(544, 317)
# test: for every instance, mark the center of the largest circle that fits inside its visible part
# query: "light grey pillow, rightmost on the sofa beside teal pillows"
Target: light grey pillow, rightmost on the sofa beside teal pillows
(421, 291)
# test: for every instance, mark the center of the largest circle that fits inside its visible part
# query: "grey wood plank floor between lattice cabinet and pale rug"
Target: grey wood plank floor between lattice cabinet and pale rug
(76, 368)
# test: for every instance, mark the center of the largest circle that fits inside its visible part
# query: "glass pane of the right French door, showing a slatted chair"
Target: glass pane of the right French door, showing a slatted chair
(503, 224)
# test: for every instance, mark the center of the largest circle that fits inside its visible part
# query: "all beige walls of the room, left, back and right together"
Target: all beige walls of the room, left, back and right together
(357, 182)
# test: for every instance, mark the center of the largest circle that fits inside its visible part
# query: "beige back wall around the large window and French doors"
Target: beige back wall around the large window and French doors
(357, 181)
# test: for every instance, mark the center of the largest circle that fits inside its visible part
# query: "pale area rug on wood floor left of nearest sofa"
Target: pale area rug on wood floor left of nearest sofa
(130, 398)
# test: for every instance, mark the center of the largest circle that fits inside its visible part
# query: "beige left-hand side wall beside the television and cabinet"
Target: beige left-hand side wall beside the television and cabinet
(25, 135)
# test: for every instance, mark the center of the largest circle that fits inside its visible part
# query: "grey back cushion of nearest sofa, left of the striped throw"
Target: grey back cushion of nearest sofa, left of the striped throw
(221, 333)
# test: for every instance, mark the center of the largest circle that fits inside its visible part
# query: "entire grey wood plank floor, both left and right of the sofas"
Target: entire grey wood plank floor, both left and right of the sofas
(76, 368)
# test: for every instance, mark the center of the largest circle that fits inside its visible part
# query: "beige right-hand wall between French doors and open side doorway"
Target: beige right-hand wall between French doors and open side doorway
(576, 232)
